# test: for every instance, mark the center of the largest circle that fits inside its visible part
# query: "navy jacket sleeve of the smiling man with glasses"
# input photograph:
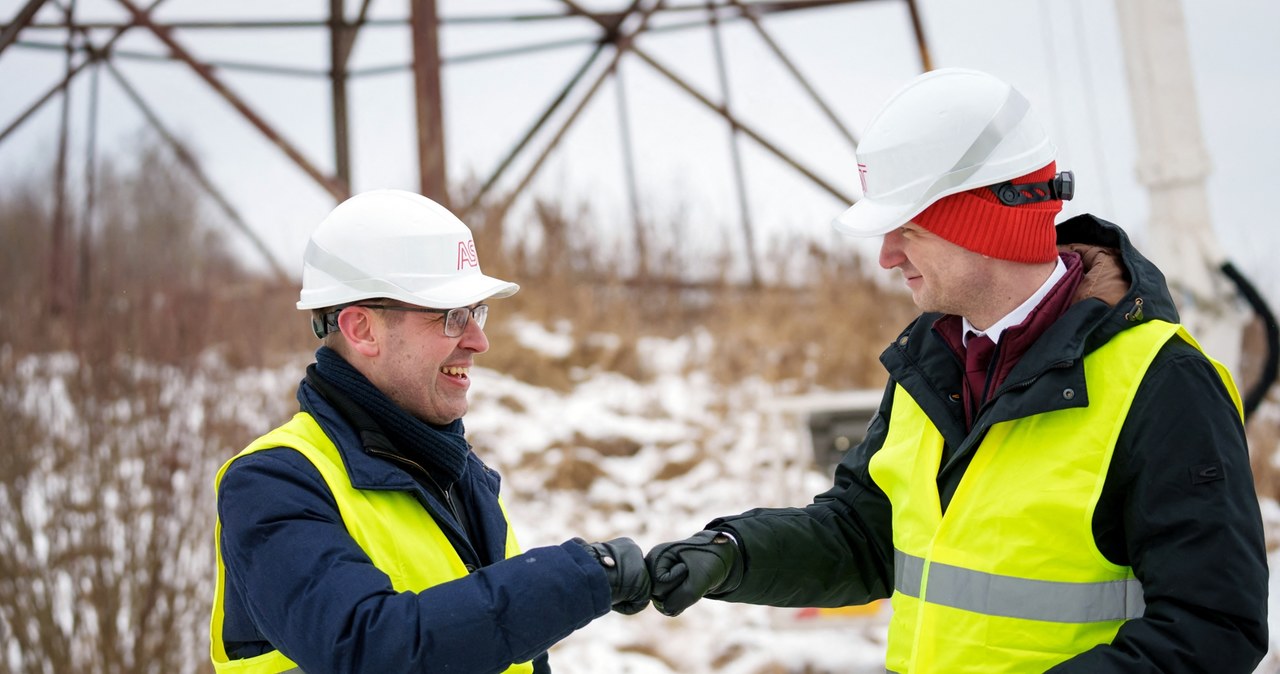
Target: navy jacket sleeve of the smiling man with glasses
(313, 593)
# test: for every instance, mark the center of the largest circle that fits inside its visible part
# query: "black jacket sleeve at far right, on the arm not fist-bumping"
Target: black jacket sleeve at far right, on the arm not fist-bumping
(1191, 529)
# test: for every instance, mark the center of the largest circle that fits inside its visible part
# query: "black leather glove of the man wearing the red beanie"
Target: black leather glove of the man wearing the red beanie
(687, 571)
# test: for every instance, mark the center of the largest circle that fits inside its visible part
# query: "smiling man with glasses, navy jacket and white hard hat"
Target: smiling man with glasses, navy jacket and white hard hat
(365, 535)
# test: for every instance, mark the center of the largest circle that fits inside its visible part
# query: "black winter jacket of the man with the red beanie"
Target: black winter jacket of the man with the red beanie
(1196, 544)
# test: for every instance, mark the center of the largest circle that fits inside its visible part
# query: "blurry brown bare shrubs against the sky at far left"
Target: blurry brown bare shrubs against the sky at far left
(157, 279)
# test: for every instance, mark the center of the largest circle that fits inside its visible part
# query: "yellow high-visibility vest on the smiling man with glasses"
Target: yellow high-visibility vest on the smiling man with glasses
(380, 522)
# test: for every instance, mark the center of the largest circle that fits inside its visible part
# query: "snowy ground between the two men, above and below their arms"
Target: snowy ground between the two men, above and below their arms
(735, 455)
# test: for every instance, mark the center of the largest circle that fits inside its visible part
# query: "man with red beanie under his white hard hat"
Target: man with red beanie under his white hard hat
(1058, 476)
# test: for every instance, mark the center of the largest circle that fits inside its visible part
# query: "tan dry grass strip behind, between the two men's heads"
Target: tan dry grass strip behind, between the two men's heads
(825, 331)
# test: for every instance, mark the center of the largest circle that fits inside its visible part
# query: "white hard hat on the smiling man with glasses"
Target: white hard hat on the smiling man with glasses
(390, 244)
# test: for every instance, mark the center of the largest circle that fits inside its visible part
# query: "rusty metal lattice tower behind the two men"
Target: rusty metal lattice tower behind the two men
(615, 38)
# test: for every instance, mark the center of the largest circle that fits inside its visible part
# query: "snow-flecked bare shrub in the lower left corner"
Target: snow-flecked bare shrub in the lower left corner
(107, 570)
